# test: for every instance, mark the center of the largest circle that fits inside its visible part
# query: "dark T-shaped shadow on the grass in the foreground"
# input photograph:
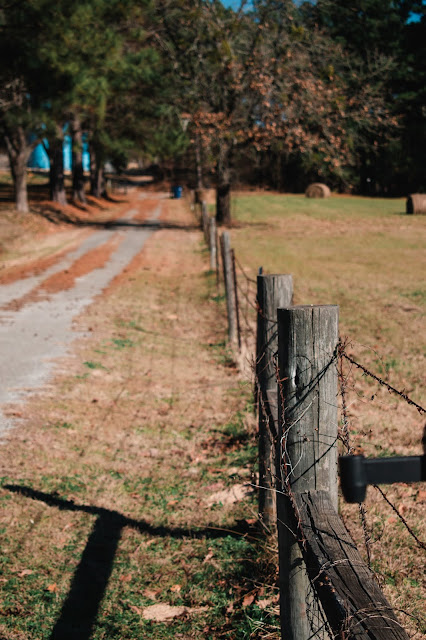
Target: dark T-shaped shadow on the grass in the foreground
(80, 609)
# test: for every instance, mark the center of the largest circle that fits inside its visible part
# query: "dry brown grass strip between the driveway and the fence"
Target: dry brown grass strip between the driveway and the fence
(144, 422)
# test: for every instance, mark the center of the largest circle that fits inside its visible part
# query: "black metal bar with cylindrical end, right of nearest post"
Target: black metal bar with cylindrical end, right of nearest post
(356, 472)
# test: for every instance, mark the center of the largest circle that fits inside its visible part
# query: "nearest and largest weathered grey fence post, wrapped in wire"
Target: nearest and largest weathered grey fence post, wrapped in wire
(307, 449)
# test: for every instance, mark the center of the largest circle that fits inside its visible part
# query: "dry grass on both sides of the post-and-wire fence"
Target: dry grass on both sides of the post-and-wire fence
(129, 463)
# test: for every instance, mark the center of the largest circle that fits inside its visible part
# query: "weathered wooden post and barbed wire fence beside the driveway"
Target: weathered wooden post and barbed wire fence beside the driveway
(327, 590)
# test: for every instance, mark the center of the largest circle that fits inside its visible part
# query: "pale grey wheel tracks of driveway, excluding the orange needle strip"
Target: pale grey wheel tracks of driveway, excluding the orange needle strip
(34, 336)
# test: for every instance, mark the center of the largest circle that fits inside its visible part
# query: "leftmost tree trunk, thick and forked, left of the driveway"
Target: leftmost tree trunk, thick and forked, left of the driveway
(19, 151)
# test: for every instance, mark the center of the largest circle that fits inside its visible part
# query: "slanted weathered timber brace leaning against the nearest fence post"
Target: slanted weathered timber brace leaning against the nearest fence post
(355, 606)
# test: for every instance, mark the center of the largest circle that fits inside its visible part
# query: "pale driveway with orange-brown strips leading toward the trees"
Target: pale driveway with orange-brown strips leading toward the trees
(37, 311)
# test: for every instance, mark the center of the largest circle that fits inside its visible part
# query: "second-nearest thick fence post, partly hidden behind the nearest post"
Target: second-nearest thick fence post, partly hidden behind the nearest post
(273, 291)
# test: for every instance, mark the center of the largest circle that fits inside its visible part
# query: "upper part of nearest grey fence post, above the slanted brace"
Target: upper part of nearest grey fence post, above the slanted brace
(307, 341)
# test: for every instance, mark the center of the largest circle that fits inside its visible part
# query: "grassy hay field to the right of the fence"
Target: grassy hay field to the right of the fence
(367, 256)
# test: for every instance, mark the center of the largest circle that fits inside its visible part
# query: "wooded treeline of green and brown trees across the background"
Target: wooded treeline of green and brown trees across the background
(274, 93)
